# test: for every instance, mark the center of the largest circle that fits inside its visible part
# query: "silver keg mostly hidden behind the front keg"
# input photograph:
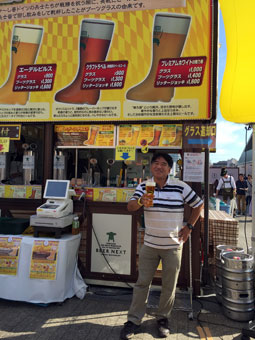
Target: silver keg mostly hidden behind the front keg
(221, 249)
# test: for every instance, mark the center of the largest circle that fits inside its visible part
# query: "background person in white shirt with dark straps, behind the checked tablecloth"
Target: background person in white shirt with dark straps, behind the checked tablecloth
(227, 186)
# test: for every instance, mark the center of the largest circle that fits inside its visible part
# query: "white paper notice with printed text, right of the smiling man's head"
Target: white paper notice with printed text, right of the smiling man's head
(194, 167)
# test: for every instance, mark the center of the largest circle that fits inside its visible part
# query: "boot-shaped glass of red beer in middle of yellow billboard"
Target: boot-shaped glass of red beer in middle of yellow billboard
(95, 39)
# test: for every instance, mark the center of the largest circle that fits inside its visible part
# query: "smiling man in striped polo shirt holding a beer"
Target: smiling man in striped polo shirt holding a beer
(165, 234)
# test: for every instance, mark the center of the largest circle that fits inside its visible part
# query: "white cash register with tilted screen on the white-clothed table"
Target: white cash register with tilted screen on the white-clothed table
(56, 214)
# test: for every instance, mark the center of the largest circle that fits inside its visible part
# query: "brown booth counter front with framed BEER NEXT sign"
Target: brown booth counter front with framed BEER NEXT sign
(111, 240)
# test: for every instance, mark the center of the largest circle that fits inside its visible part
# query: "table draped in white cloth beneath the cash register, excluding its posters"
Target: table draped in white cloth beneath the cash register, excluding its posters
(68, 278)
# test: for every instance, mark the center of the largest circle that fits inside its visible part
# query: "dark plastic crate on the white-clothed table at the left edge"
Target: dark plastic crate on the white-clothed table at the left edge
(13, 226)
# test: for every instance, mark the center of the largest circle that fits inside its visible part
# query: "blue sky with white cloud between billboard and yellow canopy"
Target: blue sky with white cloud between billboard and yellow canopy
(227, 133)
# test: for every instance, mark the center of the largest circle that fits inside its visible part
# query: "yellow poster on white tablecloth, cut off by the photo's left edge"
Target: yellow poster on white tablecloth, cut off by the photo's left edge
(9, 255)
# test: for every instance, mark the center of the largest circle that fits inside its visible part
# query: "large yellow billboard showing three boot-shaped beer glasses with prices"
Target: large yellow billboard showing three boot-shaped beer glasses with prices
(106, 60)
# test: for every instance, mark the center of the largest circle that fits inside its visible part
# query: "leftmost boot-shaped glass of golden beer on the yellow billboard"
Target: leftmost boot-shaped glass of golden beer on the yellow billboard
(25, 45)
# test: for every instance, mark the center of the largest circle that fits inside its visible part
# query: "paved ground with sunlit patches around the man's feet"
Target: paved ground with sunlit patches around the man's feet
(102, 312)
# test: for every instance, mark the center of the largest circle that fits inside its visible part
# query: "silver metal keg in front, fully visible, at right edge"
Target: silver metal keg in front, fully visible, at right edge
(237, 286)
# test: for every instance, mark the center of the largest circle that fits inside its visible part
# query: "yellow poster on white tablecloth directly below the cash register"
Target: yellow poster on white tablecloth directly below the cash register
(44, 260)
